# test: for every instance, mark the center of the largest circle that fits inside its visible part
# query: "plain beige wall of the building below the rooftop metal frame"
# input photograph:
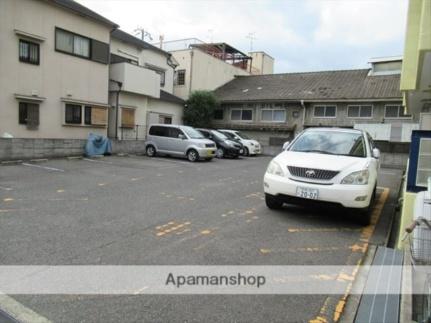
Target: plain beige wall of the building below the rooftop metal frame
(203, 71)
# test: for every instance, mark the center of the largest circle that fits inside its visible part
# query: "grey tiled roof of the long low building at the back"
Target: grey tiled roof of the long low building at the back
(327, 85)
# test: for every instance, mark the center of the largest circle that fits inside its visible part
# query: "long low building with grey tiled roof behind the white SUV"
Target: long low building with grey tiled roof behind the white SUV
(281, 105)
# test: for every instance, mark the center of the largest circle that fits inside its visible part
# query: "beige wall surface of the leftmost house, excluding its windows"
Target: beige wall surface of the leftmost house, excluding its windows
(57, 76)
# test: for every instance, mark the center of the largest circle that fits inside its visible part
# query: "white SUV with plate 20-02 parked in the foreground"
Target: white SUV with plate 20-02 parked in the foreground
(333, 165)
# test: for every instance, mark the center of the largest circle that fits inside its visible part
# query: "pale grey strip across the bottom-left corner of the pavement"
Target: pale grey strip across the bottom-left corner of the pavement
(20, 312)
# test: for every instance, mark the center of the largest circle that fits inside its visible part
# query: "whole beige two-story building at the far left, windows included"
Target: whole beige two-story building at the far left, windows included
(54, 69)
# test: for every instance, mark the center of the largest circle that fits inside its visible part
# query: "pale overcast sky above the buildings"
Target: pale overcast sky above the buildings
(302, 35)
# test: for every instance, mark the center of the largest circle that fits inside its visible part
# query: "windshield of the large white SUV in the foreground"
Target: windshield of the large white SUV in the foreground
(331, 142)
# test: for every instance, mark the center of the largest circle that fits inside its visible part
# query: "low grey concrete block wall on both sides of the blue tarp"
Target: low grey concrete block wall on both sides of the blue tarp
(25, 149)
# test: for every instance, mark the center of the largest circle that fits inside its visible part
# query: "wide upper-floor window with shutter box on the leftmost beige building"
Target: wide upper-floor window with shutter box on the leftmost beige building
(77, 45)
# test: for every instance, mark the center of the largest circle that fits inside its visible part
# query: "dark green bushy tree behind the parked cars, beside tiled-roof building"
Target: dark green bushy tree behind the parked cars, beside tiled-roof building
(200, 108)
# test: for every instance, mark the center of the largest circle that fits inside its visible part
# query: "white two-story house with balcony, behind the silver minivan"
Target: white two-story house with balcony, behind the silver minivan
(141, 87)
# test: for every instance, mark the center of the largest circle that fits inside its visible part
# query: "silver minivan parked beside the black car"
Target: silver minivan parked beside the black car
(180, 141)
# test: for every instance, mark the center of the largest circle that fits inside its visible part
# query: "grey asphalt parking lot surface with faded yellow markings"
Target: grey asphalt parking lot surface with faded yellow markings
(166, 211)
